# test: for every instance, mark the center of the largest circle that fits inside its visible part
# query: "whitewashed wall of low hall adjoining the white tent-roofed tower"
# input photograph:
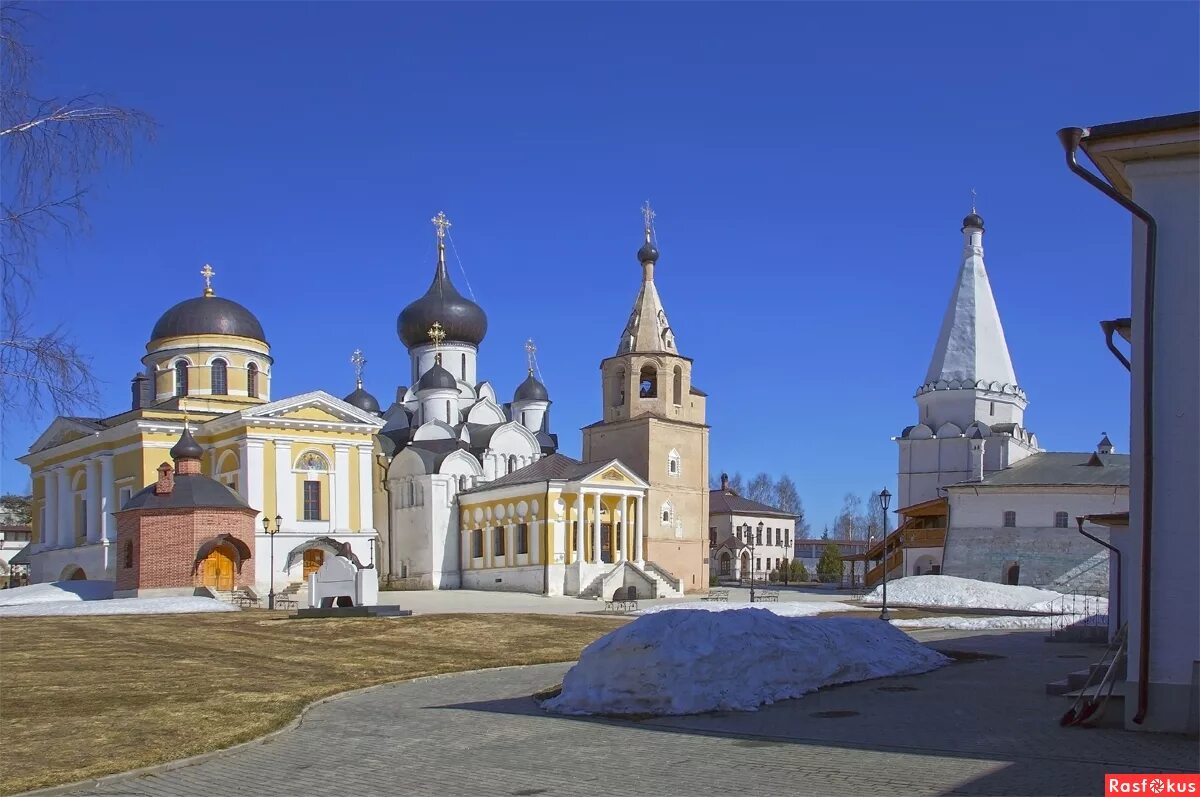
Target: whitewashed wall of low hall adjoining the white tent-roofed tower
(979, 546)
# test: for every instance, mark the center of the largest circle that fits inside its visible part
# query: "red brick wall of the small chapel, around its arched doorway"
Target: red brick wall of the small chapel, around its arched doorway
(165, 543)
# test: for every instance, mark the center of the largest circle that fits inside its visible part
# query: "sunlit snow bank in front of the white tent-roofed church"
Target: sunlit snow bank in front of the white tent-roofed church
(951, 592)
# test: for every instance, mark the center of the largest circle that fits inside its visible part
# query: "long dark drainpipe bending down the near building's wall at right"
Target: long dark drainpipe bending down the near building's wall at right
(1071, 137)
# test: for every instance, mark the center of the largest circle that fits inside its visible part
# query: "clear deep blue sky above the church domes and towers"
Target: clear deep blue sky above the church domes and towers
(809, 164)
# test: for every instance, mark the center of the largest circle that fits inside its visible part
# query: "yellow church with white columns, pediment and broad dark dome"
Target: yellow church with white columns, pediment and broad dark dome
(304, 463)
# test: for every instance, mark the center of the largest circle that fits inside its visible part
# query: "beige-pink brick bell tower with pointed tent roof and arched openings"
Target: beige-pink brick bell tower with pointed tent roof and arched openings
(655, 423)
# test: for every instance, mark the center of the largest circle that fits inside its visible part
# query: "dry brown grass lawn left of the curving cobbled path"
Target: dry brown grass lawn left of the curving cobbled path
(87, 697)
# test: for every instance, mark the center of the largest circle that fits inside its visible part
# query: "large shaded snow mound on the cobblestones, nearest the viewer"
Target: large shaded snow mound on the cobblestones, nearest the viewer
(693, 662)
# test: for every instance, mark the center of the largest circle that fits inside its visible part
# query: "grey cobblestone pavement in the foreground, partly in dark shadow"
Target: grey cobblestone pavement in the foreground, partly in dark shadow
(974, 728)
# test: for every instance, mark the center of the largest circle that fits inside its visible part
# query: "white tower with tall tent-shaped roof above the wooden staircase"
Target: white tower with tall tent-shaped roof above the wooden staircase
(970, 392)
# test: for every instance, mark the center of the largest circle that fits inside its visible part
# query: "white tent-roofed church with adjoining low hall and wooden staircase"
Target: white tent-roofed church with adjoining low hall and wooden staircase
(979, 498)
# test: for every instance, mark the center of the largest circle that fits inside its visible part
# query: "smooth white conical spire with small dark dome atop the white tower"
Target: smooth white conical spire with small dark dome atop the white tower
(971, 345)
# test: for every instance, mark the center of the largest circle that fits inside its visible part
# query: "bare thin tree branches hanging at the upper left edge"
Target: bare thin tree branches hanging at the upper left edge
(51, 148)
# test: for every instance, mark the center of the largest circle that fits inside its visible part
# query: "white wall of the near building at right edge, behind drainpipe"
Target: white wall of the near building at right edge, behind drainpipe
(1167, 188)
